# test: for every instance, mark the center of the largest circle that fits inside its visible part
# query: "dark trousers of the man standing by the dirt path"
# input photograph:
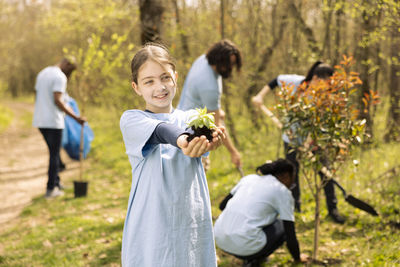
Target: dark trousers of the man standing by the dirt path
(53, 138)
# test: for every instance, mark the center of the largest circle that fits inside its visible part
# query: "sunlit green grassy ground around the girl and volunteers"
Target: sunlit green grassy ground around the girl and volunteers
(88, 231)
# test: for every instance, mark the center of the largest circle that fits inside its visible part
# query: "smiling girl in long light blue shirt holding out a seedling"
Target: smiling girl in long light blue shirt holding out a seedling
(168, 221)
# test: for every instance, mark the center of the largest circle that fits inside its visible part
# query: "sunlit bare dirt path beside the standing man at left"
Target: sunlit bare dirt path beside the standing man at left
(23, 164)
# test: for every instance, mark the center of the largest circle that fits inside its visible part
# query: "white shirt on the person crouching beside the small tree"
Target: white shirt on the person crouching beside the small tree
(257, 201)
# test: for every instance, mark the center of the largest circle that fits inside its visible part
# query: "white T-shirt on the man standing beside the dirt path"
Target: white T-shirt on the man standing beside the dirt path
(47, 115)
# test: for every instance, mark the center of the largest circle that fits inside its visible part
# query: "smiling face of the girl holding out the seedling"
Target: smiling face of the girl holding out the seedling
(157, 85)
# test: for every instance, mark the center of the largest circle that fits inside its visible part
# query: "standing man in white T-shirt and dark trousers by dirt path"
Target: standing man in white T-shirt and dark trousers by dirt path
(50, 107)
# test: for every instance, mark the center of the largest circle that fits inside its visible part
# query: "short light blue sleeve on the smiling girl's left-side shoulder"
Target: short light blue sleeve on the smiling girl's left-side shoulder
(136, 130)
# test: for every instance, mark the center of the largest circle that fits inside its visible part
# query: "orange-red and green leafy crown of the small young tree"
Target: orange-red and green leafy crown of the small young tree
(320, 118)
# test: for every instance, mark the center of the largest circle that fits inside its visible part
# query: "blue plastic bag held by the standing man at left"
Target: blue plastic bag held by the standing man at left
(71, 137)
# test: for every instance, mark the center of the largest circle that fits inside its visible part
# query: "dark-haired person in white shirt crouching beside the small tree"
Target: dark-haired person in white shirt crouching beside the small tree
(258, 215)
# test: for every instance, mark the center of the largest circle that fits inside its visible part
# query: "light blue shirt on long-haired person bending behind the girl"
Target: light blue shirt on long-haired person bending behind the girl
(202, 87)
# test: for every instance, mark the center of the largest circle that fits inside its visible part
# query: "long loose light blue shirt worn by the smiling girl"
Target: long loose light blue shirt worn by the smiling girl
(168, 222)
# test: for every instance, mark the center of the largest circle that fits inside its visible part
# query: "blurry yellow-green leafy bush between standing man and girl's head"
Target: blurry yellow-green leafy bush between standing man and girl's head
(103, 72)
